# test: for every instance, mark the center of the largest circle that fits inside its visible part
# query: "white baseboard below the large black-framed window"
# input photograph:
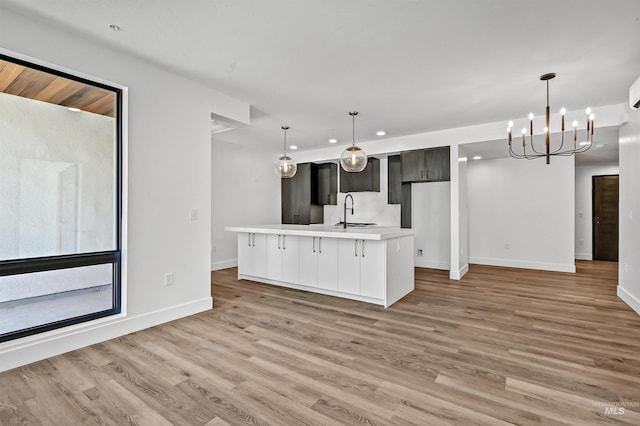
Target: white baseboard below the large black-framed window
(16, 353)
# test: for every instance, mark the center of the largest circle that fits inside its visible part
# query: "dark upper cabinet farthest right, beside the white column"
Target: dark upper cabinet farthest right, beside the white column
(425, 165)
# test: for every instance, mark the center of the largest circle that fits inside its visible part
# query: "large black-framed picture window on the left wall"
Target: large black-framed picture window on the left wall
(60, 199)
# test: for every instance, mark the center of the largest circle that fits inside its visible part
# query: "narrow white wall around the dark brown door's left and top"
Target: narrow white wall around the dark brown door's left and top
(584, 216)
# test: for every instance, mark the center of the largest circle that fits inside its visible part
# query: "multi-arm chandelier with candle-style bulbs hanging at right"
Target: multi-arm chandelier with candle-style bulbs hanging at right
(530, 151)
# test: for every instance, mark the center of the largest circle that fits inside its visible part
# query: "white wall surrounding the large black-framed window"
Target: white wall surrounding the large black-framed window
(167, 173)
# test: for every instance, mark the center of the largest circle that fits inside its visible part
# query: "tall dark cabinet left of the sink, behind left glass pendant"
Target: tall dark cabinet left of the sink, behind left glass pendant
(298, 194)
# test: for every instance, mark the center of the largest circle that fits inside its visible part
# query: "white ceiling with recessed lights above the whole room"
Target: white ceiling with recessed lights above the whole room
(408, 66)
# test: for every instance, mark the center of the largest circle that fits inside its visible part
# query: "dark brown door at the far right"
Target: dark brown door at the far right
(605, 218)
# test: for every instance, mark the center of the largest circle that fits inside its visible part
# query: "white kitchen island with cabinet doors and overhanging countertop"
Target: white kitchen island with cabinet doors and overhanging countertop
(372, 264)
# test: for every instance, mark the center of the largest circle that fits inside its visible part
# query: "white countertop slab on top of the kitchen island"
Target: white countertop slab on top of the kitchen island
(327, 231)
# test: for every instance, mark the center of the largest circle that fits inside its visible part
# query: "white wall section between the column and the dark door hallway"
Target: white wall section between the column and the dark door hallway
(521, 213)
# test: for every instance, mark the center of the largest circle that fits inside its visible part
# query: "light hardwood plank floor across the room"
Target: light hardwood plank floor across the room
(501, 346)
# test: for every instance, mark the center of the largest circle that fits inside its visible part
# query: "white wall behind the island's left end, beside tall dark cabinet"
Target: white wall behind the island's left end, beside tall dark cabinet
(244, 191)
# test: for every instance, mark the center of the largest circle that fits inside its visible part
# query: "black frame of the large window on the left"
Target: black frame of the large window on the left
(57, 262)
